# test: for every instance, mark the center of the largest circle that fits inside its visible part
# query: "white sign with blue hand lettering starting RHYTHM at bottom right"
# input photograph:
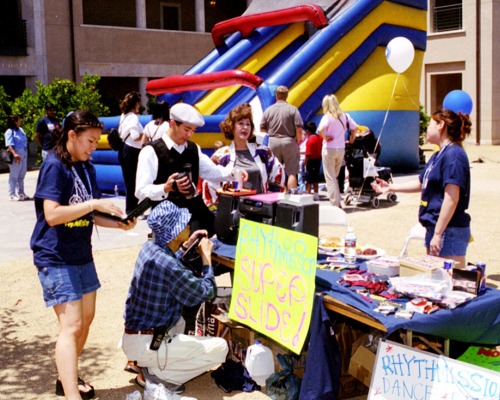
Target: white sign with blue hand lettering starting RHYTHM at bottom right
(402, 372)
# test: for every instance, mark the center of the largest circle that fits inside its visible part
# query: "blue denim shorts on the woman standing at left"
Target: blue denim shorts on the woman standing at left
(63, 284)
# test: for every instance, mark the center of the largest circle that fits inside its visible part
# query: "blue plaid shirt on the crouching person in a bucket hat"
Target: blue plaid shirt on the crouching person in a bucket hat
(161, 286)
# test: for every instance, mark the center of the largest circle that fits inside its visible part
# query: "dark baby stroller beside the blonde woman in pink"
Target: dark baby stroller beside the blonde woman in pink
(361, 159)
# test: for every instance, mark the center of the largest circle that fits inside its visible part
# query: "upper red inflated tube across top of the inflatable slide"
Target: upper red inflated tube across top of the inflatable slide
(246, 24)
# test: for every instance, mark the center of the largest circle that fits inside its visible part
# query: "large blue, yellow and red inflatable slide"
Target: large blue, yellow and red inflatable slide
(314, 51)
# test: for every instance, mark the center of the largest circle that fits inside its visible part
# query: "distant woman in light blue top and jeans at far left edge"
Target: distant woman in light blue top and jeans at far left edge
(17, 143)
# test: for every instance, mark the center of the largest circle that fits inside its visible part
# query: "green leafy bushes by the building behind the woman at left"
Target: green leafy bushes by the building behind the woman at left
(66, 96)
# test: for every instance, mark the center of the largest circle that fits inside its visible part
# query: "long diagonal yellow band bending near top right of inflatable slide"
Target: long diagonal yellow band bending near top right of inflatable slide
(387, 13)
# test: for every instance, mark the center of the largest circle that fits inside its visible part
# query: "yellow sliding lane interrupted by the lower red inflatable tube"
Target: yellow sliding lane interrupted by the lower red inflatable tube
(215, 98)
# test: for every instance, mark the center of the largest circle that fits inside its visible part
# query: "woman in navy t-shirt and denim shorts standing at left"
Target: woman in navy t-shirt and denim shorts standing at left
(65, 200)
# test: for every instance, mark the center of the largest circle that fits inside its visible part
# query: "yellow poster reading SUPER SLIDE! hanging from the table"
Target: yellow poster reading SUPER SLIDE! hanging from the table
(274, 282)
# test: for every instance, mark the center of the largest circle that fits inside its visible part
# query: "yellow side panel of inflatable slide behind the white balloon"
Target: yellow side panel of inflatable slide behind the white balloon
(376, 76)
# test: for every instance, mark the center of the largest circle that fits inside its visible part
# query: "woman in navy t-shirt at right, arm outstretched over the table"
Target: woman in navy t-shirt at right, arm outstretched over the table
(445, 187)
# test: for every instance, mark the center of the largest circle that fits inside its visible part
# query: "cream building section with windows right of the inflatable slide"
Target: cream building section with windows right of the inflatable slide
(463, 52)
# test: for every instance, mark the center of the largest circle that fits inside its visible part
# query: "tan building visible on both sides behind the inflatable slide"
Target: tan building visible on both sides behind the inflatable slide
(128, 42)
